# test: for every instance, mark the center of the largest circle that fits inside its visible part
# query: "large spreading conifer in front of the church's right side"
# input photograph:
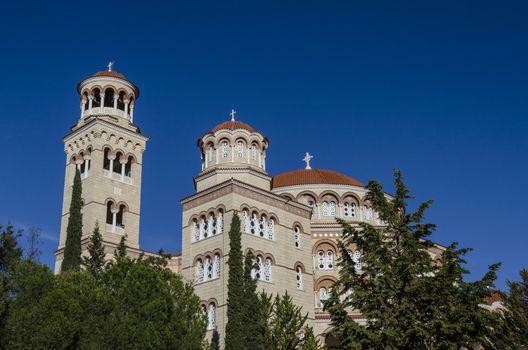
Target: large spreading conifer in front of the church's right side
(409, 300)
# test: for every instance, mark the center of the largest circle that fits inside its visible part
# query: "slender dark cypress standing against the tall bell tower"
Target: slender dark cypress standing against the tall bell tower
(72, 249)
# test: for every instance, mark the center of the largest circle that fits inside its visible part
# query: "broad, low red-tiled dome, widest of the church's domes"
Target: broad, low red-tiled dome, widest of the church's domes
(313, 177)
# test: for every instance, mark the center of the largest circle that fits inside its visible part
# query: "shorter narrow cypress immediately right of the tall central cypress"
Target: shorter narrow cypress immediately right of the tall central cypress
(254, 331)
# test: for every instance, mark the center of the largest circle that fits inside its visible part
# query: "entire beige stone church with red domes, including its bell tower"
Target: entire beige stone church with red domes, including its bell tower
(287, 220)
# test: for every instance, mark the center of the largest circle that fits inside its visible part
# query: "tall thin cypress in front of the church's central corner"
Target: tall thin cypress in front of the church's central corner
(234, 339)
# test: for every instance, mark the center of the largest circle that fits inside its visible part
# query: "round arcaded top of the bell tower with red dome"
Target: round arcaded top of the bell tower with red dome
(108, 93)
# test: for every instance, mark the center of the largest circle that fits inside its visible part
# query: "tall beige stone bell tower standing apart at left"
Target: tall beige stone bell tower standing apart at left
(107, 148)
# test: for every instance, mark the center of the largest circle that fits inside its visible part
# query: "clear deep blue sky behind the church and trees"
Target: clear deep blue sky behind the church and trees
(436, 90)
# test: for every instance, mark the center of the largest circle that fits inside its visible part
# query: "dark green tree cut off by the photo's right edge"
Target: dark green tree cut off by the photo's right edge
(514, 331)
